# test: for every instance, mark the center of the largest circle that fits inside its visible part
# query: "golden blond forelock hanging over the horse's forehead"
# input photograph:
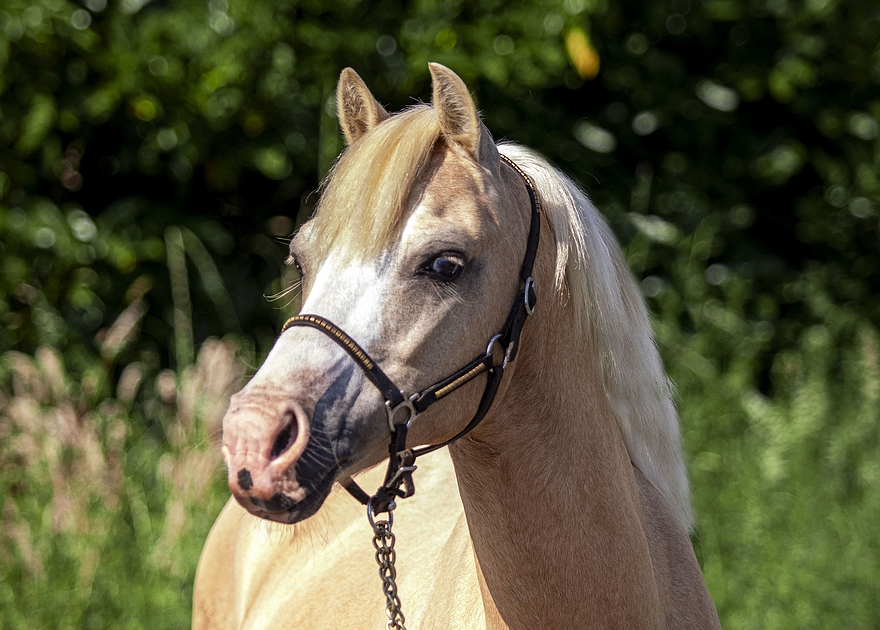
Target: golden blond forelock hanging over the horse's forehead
(366, 192)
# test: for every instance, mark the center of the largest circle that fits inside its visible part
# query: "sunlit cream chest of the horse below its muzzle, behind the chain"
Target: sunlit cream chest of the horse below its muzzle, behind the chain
(322, 574)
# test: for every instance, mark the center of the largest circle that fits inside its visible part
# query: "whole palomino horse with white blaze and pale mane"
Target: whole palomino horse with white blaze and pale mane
(565, 505)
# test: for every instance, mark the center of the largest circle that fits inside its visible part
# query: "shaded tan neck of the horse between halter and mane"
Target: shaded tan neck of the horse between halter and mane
(550, 495)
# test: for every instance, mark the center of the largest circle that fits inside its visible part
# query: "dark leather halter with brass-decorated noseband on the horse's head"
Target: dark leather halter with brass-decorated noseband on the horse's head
(402, 459)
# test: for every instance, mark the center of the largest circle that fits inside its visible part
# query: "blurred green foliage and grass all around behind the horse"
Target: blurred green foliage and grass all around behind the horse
(154, 154)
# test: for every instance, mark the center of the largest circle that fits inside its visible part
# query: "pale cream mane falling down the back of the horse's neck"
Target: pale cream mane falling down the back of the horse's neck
(610, 308)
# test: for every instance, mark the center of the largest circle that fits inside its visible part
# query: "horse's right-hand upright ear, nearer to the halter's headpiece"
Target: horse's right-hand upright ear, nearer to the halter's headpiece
(458, 115)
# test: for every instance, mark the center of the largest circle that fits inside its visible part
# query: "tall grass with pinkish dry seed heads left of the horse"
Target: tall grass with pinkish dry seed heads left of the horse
(108, 495)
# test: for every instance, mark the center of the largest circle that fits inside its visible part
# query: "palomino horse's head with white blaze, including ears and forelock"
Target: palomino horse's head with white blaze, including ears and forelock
(414, 252)
